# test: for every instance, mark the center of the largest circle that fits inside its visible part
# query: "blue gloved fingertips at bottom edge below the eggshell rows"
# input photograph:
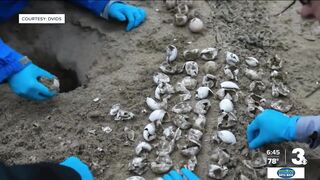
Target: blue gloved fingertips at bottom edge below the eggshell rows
(186, 174)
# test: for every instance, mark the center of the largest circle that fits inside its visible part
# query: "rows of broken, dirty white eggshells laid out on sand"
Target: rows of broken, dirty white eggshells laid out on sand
(228, 94)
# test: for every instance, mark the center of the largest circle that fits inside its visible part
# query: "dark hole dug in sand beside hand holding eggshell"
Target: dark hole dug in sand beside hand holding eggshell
(67, 76)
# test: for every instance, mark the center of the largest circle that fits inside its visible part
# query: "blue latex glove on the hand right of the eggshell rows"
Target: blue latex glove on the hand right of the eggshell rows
(271, 126)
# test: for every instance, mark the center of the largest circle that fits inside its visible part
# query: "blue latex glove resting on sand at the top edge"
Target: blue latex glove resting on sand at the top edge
(122, 12)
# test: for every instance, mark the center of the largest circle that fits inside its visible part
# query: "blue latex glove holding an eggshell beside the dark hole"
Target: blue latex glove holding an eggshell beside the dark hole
(25, 83)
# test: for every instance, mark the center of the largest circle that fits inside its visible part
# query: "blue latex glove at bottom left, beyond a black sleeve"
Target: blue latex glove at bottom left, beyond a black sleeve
(77, 165)
